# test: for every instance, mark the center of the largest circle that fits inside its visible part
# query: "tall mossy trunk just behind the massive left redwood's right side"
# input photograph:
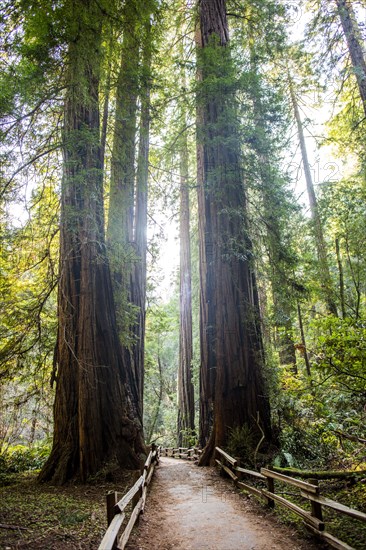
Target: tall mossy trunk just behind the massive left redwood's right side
(120, 230)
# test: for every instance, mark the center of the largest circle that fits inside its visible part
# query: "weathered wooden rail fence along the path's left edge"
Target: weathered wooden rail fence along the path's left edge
(116, 508)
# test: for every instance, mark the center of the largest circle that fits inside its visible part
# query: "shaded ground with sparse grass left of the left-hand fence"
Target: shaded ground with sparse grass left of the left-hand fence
(44, 516)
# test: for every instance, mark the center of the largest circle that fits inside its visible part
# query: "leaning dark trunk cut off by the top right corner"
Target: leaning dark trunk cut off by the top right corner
(355, 45)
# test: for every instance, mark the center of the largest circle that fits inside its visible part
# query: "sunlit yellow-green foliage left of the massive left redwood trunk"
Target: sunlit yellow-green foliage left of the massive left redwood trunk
(28, 277)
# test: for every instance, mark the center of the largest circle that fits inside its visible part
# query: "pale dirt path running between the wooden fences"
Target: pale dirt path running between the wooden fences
(193, 508)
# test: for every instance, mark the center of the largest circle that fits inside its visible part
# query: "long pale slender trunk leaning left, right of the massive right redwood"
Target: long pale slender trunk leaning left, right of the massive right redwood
(317, 223)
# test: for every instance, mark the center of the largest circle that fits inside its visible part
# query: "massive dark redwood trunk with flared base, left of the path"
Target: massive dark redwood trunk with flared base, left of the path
(91, 418)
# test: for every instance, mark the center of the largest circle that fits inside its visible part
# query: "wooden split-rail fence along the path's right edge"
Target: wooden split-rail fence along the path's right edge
(308, 490)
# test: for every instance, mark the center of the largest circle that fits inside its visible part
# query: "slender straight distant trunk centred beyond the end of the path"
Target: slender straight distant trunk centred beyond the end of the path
(185, 385)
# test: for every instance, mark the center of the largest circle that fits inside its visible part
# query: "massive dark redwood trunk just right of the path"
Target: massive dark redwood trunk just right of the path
(229, 291)
